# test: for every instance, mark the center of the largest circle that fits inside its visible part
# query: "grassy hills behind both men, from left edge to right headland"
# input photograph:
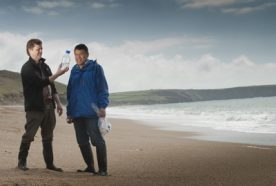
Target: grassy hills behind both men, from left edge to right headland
(11, 93)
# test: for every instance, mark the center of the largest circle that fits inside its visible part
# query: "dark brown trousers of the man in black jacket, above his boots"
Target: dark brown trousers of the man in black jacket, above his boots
(45, 120)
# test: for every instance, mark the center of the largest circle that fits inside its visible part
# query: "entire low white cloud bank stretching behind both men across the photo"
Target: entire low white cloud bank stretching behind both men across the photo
(140, 65)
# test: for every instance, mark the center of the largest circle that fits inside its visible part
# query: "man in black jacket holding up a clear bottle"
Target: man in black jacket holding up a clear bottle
(40, 96)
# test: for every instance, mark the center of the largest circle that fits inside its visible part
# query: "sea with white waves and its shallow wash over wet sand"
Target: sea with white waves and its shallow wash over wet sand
(251, 121)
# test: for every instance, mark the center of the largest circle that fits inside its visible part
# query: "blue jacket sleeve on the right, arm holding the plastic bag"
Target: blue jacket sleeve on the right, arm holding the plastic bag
(102, 88)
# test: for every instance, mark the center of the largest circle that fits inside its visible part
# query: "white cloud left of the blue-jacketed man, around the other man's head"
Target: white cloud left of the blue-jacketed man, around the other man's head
(13, 51)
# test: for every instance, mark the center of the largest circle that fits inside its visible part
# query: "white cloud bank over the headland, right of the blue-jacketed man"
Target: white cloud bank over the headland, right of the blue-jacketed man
(134, 71)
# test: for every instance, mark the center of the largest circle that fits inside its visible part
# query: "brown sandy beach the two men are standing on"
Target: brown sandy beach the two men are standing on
(137, 155)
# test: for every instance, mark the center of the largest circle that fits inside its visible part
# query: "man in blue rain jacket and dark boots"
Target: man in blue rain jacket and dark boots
(87, 86)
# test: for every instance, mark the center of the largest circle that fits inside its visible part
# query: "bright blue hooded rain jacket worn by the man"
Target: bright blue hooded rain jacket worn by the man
(86, 86)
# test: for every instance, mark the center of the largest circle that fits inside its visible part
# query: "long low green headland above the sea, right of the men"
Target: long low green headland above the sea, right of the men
(177, 96)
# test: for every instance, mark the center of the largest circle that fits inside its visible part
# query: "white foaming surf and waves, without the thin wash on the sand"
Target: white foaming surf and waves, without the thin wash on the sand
(255, 115)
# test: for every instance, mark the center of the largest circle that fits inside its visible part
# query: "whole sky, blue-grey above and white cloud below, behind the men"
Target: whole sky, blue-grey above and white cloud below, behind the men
(149, 44)
